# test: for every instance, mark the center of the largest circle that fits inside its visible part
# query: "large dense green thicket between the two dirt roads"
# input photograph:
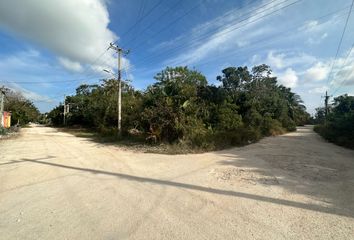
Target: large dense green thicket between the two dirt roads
(181, 107)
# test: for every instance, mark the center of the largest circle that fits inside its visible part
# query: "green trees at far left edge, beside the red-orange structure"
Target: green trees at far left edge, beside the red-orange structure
(22, 110)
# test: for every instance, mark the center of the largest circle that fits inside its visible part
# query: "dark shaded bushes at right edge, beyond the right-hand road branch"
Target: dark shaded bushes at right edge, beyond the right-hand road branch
(339, 125)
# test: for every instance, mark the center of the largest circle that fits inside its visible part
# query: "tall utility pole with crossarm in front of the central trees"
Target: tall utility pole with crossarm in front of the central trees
(119, 51)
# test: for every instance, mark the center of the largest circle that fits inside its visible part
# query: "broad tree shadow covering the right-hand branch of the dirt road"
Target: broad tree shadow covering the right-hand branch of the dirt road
(302, 163)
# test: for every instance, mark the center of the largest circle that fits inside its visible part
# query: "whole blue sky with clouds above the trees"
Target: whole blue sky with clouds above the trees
(49, 48)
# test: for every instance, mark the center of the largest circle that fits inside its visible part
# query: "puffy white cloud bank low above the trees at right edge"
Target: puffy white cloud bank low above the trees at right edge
(310, 70)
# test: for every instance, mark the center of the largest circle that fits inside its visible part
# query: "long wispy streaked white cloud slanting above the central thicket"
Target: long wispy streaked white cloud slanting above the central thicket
(231, 31)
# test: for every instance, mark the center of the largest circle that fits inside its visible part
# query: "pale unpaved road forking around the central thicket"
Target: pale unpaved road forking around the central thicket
(56, 186)
